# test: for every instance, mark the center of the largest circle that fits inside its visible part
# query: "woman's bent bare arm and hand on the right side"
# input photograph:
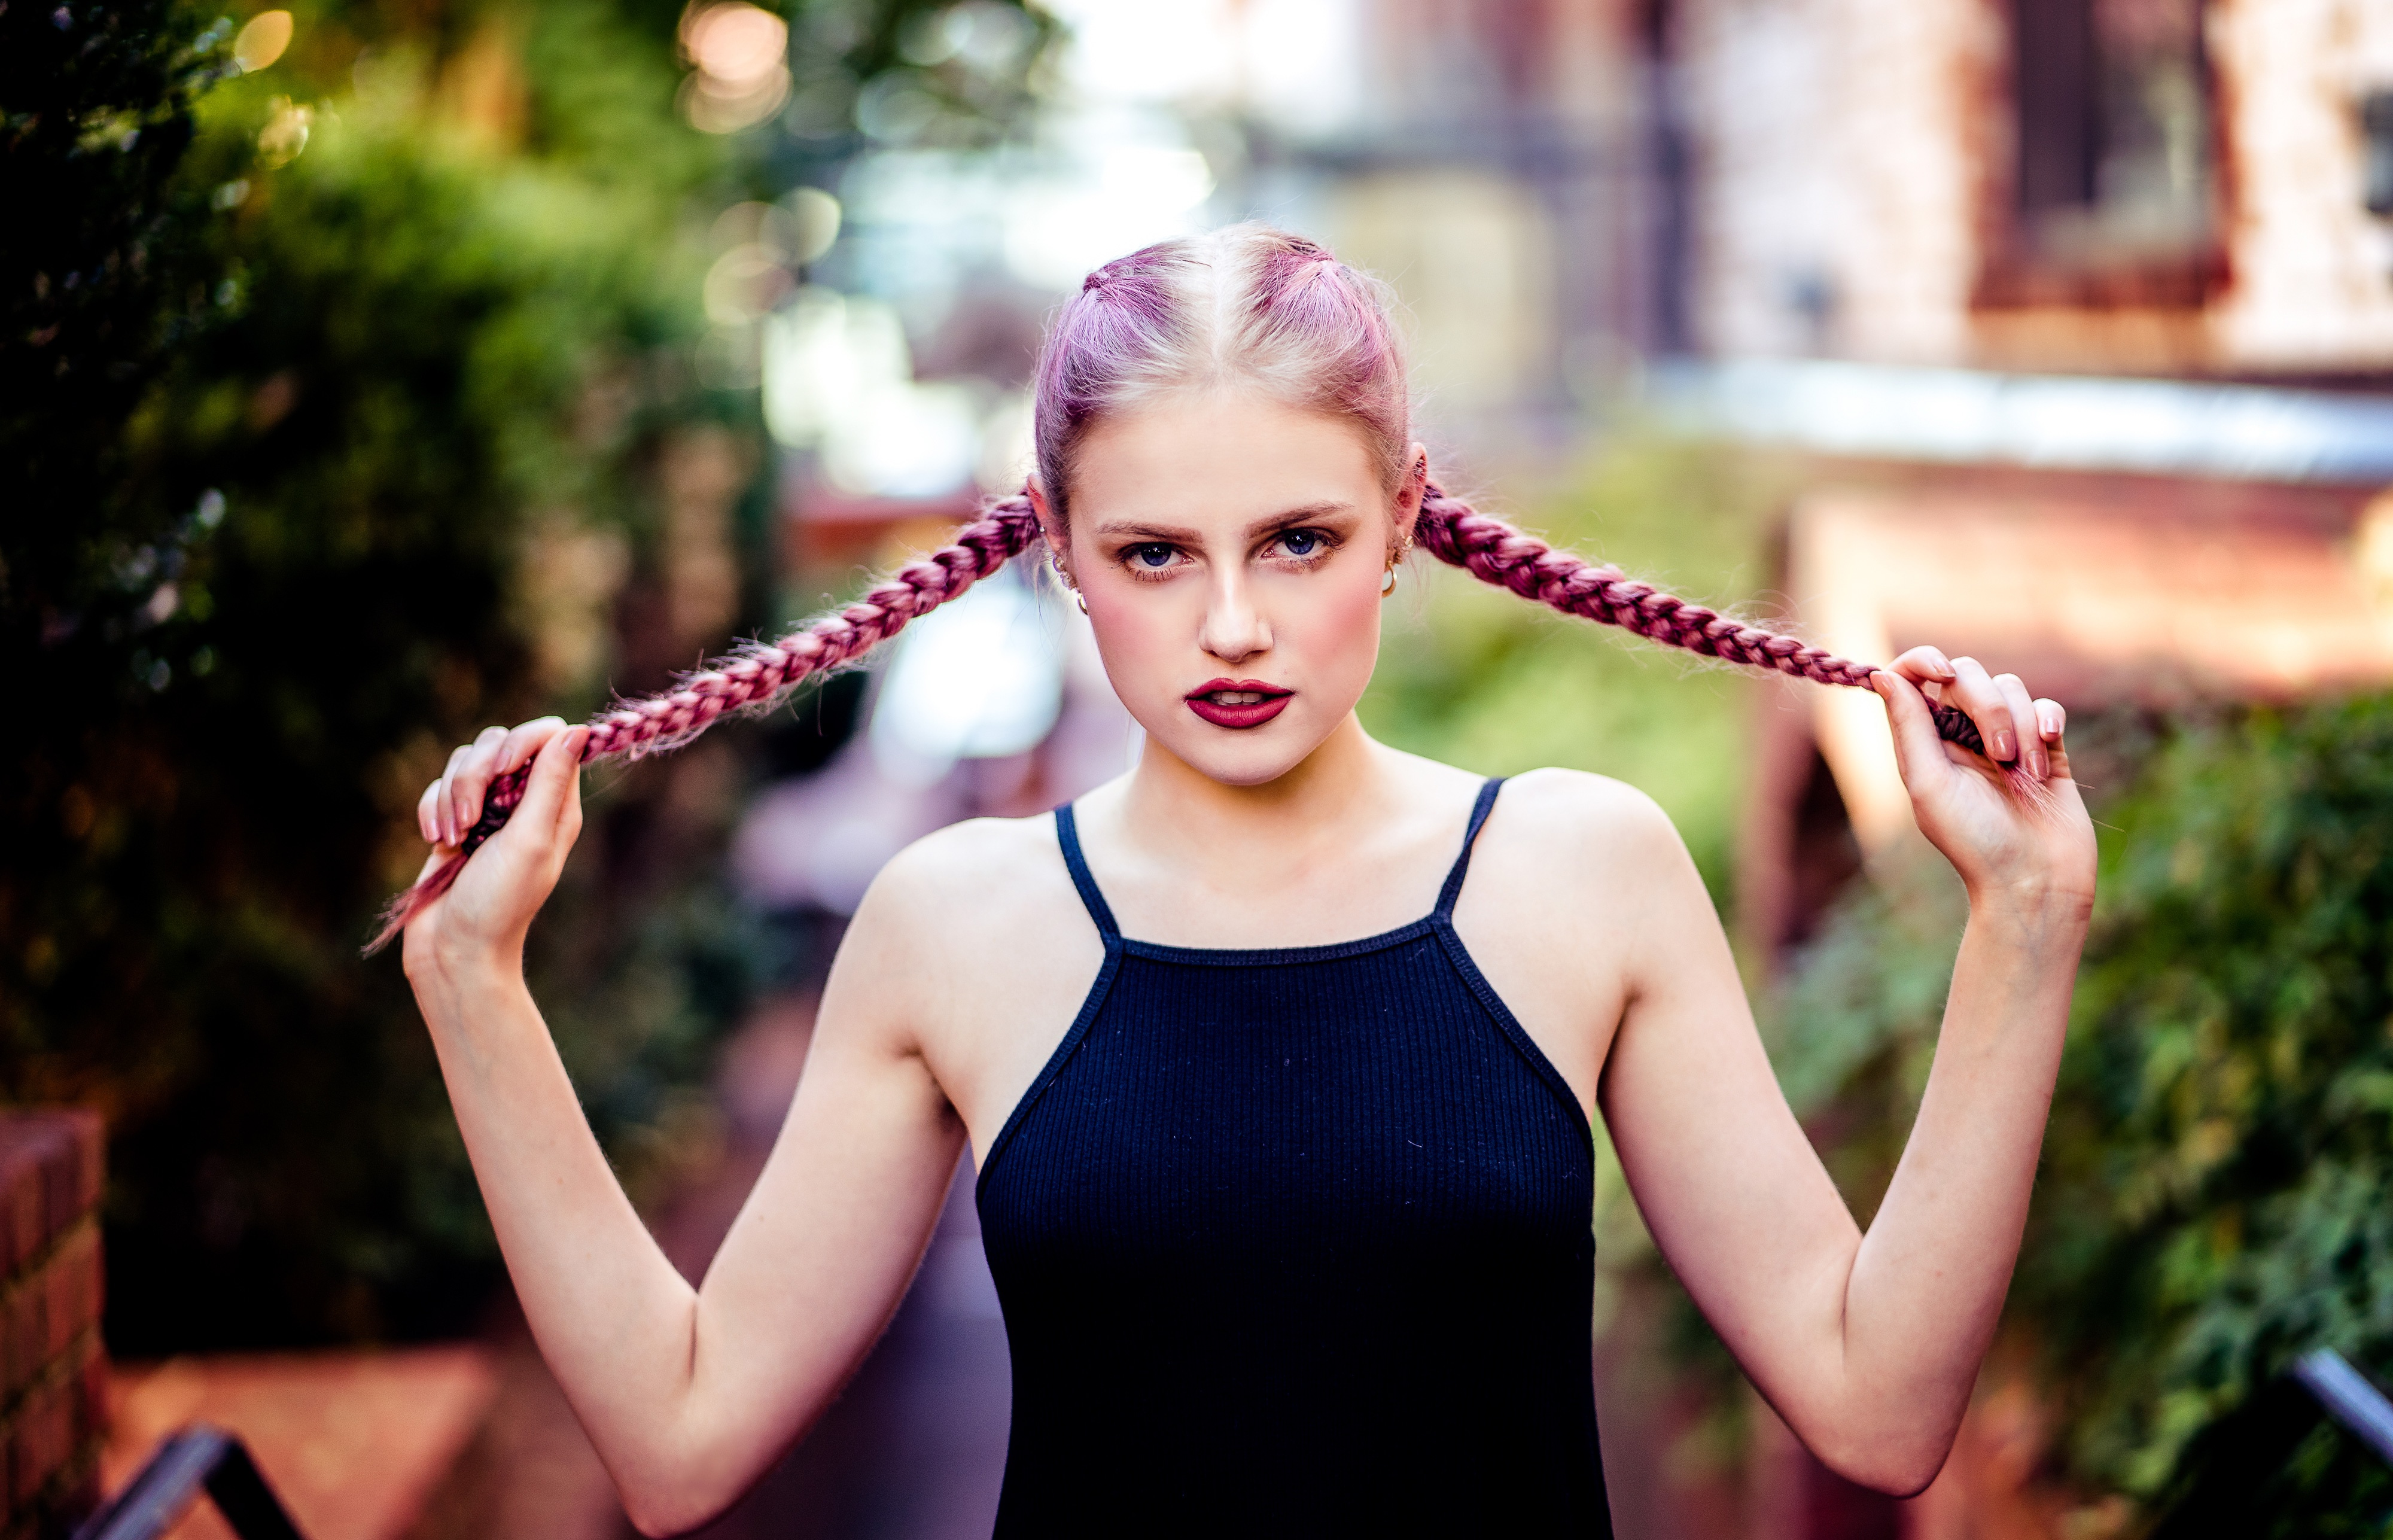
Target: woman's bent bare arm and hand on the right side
(1870, 1345)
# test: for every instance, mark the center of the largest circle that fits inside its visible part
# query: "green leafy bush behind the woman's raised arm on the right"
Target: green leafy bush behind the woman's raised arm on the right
(2222, 1144)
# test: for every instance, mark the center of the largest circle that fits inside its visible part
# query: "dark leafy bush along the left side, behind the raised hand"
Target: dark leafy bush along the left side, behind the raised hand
(279, 580)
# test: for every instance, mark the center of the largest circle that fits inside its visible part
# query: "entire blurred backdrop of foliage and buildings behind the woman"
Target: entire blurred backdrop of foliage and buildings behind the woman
(379, 369)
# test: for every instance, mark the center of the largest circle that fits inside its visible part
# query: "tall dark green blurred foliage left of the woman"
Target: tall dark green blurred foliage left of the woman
(319, 379)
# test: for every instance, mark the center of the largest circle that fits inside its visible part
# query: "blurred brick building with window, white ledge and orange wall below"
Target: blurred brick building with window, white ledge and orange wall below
(2085, 310)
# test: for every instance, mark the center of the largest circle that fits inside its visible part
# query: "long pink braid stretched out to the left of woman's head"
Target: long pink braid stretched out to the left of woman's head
(755, 678)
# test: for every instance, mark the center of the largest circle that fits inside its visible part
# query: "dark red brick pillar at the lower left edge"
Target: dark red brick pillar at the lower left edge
(54, 1388)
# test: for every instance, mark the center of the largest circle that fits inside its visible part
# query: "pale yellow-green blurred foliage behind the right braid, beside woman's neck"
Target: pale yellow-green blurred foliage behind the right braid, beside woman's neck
(1480, 678)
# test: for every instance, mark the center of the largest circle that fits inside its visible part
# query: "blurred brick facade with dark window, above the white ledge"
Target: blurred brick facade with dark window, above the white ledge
(2052, 185)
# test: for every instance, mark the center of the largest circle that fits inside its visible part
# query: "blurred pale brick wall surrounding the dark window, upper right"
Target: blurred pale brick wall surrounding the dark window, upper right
(1851, 190)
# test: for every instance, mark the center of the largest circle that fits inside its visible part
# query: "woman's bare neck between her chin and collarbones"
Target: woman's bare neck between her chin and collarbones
(1188, 819)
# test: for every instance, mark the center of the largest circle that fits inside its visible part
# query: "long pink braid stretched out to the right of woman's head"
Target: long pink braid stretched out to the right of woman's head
(1497, 554)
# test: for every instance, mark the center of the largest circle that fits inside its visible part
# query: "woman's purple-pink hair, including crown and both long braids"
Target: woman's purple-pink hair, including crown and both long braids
(1250, 307)
